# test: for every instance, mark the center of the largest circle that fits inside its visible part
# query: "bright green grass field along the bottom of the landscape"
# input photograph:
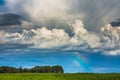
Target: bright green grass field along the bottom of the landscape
(35, 76)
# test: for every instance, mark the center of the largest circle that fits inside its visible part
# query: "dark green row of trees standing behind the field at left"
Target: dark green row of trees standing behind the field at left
(35, 69)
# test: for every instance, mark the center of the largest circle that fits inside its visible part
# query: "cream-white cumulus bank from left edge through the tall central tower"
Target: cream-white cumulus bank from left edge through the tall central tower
(44, 38)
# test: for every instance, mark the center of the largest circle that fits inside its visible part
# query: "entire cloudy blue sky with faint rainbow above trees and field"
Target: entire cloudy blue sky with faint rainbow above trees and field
(81, 35)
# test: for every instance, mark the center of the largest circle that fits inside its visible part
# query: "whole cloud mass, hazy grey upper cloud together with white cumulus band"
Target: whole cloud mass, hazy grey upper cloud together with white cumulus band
(84, 18)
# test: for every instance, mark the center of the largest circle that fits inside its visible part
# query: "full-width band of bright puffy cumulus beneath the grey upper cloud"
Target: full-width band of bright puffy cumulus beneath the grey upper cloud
(82, 39)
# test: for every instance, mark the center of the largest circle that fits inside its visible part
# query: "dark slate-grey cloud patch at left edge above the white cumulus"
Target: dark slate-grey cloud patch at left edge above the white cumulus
(11, 22)
